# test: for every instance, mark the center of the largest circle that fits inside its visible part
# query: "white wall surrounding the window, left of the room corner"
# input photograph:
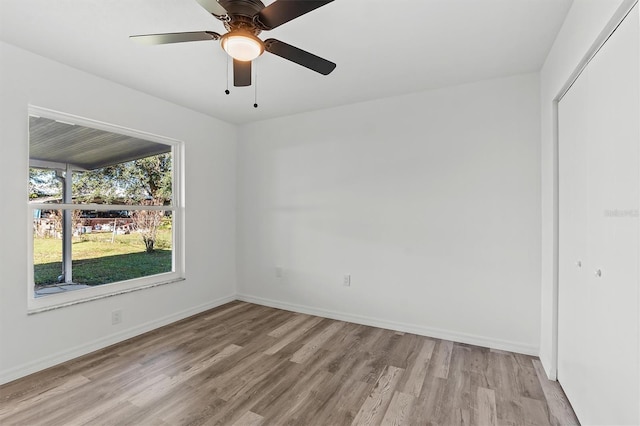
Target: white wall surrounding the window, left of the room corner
(32, 342)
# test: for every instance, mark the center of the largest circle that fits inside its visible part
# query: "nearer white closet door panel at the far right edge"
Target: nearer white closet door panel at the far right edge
(614, 186)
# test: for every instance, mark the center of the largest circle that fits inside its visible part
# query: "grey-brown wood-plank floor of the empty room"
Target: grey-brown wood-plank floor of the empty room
(245, 364)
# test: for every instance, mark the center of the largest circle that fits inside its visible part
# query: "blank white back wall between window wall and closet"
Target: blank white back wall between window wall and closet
(430, 201)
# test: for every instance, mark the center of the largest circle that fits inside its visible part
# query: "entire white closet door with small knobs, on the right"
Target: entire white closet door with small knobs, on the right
(599, 197)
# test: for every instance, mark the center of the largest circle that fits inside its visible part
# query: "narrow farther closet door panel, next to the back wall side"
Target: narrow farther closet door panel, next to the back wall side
(573, 334)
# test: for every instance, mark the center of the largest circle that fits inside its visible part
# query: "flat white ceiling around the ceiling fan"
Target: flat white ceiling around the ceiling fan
(382, 48)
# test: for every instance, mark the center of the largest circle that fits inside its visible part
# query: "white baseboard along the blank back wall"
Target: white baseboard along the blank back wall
(470, 339)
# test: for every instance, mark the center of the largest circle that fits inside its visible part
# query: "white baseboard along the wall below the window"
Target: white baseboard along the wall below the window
(63, 356)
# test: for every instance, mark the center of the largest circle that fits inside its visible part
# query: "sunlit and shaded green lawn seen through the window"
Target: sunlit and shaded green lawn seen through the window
(97, 260)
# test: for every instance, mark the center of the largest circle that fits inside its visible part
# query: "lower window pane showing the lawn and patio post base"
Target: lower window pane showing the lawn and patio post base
(126, 246)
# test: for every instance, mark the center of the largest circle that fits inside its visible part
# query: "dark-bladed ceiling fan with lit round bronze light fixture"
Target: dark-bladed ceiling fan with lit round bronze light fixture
(244, 21)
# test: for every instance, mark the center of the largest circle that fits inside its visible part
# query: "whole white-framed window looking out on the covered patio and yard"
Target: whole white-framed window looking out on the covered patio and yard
(104, 208)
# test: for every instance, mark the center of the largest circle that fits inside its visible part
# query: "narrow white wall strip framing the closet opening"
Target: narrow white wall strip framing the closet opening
(584, 23)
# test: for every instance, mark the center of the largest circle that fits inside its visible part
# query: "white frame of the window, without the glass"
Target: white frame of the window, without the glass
(54, 301)
